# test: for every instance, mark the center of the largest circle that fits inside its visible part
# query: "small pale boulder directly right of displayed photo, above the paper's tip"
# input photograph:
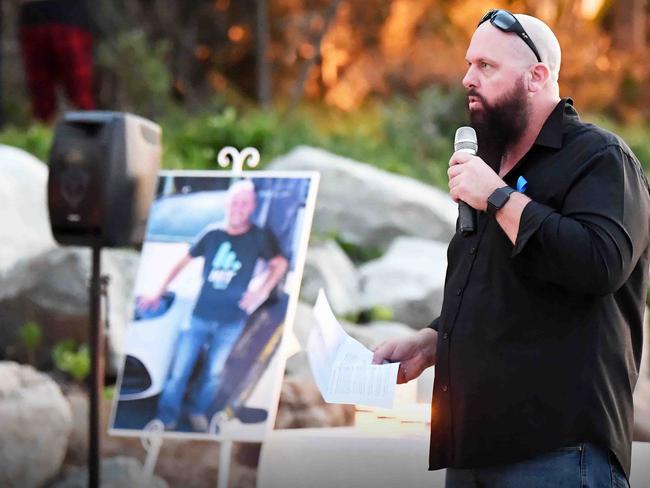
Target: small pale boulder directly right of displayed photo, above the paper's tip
(328, 267)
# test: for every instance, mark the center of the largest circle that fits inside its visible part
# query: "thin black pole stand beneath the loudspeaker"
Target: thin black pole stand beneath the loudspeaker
(96, 368)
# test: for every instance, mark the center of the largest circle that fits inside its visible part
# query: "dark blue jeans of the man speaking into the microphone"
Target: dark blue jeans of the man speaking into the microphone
(579, 466)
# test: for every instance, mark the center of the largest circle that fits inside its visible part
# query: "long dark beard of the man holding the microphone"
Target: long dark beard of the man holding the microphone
(501, 124)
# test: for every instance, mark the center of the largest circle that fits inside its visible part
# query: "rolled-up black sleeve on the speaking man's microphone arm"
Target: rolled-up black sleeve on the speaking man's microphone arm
(592, 242)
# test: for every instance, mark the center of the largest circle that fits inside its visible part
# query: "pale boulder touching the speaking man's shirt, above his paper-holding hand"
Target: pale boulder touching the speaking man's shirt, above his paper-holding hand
(409, 279)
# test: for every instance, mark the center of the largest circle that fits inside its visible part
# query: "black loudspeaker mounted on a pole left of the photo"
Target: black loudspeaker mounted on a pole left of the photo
(103, 169)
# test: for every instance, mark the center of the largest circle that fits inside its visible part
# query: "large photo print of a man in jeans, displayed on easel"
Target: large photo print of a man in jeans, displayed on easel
(216, 291)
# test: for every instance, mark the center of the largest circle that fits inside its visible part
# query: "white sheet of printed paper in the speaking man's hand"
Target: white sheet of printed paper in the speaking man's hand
(342, 365)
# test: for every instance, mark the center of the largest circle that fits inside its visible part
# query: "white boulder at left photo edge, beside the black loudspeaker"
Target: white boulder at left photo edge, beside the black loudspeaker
(25, 229)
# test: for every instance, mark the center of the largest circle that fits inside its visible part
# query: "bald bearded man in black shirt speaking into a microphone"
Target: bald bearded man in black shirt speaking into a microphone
(538, 344)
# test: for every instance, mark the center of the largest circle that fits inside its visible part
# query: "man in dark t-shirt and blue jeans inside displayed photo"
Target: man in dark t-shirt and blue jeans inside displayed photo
(230, 252)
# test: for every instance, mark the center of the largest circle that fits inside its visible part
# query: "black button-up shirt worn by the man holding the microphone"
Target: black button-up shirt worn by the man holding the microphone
(539, 343)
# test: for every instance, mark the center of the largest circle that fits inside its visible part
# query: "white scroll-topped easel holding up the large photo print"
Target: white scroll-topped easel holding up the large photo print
(152, 441)
